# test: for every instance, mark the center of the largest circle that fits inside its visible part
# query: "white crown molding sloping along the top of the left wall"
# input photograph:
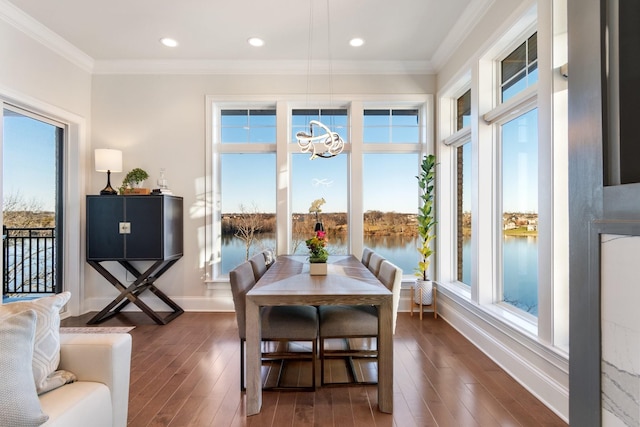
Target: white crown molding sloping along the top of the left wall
(43, 35)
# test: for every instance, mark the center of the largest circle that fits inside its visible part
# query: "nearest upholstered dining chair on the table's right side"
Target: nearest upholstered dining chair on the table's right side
(356, 321)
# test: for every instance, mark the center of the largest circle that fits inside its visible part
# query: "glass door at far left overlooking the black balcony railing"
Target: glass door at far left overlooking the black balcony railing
(32, 174)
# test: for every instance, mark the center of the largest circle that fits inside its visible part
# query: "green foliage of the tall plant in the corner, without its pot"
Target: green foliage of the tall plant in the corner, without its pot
(426, 214)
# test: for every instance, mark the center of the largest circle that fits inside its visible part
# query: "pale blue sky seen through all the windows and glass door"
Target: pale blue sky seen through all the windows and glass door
(389, 180)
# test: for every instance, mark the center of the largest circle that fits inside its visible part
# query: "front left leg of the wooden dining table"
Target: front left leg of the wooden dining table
(253, 332)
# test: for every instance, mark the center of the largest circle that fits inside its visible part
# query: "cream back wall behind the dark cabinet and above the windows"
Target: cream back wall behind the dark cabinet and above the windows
(159, 122)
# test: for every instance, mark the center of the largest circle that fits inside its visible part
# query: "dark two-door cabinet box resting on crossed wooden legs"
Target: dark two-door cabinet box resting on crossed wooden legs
(134, 227)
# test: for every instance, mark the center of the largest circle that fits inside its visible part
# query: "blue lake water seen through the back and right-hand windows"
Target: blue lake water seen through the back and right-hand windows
(520, 258)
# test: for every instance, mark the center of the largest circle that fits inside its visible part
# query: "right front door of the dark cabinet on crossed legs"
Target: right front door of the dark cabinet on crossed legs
(144, 213)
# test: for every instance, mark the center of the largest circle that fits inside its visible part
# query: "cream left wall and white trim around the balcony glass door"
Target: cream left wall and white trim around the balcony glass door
(34, 77)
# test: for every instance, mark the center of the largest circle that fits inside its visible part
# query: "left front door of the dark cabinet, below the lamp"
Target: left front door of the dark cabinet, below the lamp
(104, 214)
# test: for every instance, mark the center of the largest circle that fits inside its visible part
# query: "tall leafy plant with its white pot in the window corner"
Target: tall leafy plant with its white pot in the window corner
(426, 230)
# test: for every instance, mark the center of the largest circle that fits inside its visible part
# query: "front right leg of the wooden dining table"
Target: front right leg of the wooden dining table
(385, 356)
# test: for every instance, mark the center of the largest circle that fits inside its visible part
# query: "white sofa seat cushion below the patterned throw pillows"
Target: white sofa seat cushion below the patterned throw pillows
(82, 404)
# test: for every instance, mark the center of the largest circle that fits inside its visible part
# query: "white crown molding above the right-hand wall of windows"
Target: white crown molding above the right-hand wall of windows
(469, 19)
